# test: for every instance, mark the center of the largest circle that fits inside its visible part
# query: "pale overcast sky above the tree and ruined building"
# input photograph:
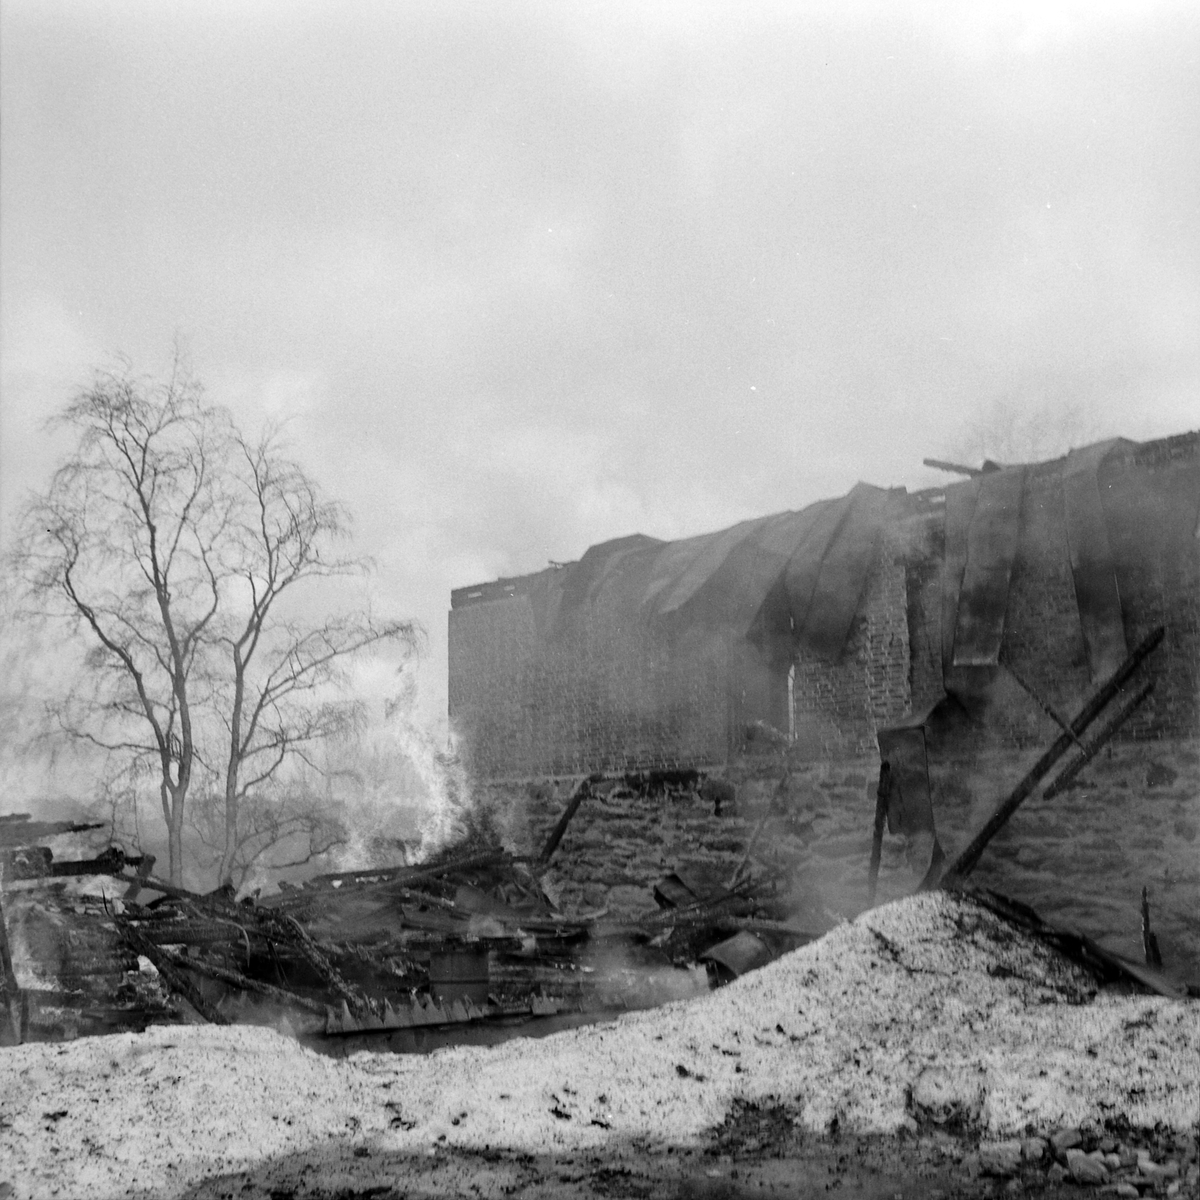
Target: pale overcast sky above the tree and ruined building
(530, 277)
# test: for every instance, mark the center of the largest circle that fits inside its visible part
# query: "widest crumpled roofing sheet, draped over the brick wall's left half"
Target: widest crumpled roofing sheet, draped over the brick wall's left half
(811, 566)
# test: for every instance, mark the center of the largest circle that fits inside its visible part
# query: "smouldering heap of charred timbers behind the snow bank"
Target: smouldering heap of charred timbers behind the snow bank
(467, 944)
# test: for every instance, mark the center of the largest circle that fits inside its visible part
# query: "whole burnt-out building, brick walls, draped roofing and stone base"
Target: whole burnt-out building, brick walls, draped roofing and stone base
(733, 688)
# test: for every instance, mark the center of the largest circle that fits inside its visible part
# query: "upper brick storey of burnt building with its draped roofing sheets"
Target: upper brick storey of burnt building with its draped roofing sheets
(831, 622)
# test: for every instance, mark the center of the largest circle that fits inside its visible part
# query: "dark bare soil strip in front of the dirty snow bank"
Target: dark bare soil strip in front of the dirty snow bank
(757, 1153)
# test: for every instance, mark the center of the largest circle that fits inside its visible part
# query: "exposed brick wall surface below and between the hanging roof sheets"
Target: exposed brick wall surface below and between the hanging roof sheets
(609, 692)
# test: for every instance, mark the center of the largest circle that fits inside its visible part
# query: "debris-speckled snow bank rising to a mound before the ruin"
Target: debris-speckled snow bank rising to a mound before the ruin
(932, 997)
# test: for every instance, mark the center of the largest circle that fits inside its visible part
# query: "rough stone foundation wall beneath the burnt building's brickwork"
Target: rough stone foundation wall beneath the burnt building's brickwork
(1081, 859)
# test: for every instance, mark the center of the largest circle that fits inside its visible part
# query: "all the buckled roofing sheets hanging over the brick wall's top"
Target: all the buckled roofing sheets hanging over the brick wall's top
(806, 571)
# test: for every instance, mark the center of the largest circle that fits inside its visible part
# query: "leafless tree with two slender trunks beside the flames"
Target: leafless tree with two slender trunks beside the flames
(170, 542)
